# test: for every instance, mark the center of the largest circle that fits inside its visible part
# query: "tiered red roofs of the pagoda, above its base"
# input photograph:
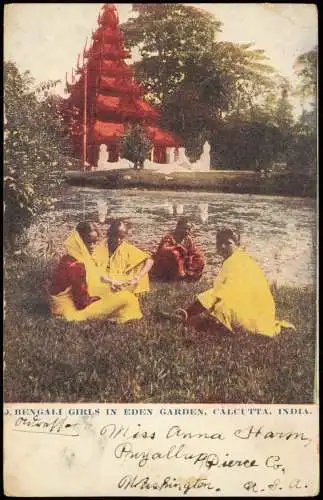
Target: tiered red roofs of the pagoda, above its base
(113, 98)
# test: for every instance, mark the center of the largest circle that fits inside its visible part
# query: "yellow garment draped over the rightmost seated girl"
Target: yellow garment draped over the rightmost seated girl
(246, 303)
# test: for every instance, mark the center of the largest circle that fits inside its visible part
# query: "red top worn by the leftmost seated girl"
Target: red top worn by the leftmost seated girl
(70, 272)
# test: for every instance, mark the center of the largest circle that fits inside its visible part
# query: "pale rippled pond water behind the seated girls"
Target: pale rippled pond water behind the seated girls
(280, 232)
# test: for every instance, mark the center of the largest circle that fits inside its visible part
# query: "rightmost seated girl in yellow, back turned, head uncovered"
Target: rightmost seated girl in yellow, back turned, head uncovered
(240, 300)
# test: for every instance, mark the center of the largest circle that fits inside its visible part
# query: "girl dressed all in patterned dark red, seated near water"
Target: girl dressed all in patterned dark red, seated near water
(177, 256)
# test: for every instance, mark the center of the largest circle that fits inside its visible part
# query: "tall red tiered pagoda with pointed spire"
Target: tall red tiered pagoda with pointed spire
(105, 99)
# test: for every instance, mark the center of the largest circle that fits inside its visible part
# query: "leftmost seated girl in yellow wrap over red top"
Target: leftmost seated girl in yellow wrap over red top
(76, 280)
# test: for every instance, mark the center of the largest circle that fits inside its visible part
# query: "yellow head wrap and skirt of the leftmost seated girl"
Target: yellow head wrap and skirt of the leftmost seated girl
(121, 306)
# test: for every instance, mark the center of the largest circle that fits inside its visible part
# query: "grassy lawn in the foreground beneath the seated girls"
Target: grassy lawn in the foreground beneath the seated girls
(151, 361)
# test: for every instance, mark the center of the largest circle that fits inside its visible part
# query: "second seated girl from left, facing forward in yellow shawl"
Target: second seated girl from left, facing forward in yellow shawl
(125, 266)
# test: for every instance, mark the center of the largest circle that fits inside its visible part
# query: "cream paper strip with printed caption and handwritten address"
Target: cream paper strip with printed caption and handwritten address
(161, 450)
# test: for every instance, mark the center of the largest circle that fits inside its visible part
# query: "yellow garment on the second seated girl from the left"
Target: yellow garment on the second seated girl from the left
(124, 264)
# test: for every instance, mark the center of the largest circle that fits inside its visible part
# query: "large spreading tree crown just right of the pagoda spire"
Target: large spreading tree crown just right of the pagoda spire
(177, 44)
